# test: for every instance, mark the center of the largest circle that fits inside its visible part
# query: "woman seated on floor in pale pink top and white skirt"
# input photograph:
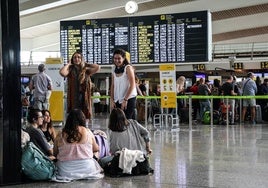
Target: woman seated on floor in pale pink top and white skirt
(74, 147)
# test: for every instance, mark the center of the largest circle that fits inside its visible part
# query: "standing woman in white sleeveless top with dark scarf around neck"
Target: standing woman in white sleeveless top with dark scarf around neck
(123, 87)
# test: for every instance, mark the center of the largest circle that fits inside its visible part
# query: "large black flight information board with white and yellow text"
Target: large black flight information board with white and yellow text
(167, 38)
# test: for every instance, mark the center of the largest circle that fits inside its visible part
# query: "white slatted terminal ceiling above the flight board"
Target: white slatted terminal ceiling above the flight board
(234, 21)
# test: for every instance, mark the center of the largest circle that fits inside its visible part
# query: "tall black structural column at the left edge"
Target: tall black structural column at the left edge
(10, 93)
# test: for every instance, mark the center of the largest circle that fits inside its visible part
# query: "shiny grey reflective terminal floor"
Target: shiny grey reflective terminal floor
(221, 156)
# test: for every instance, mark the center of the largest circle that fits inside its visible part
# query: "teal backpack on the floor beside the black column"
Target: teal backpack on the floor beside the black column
(35, 164)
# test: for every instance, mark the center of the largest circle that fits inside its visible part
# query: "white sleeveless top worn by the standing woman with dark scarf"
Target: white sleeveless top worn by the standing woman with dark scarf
(121, 85)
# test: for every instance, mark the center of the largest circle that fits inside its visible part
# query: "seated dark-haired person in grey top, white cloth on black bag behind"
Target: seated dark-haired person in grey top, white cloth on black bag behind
(127, 137)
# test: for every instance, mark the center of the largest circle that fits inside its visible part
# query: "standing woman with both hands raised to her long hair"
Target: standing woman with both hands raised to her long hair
(78, 73)
